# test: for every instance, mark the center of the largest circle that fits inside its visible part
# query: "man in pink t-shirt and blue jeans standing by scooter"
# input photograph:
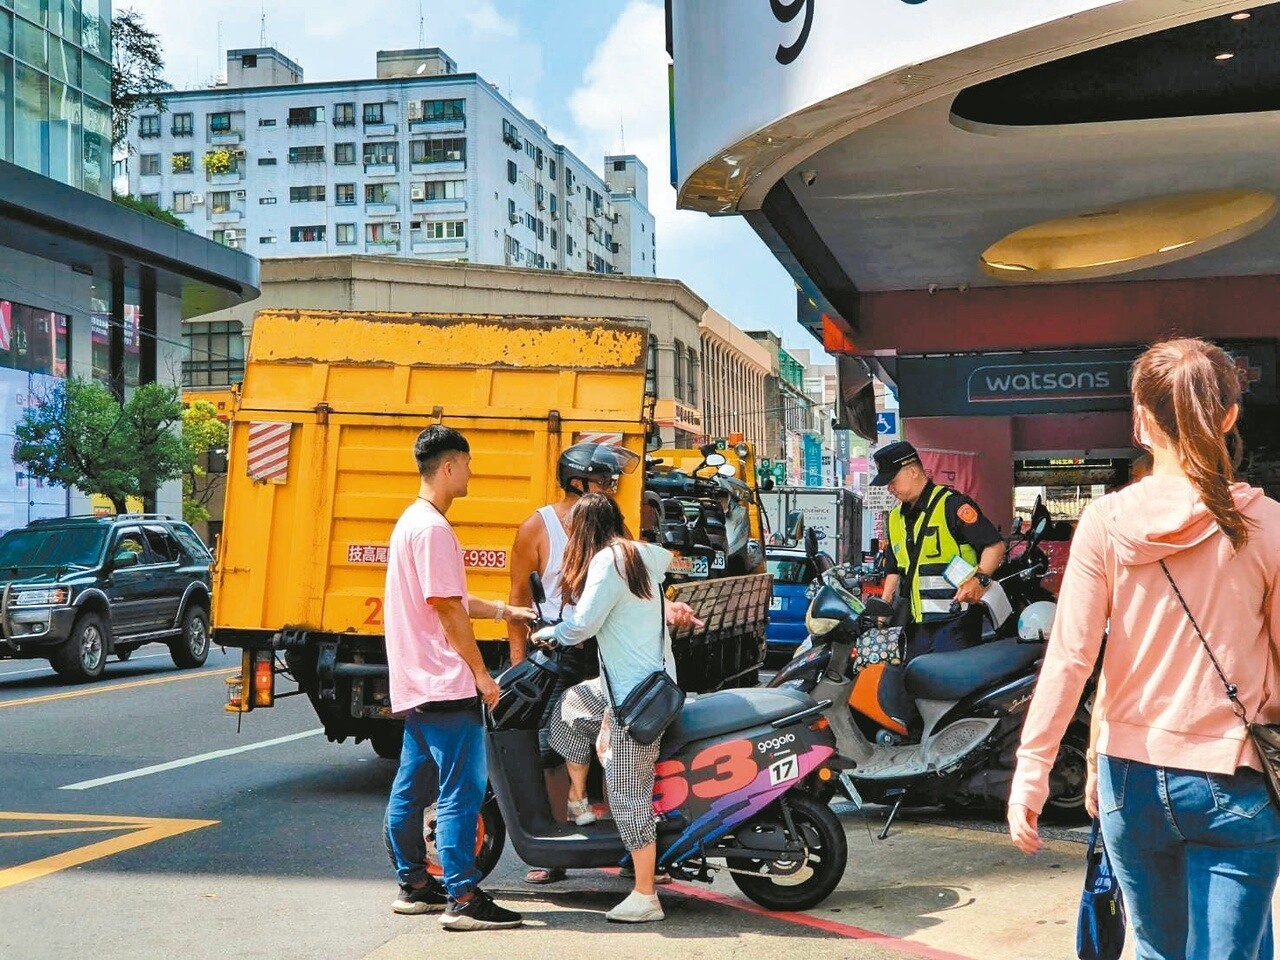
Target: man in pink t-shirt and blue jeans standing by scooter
(438, 680)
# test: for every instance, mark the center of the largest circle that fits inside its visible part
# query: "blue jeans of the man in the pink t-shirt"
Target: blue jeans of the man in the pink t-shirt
(452, 743)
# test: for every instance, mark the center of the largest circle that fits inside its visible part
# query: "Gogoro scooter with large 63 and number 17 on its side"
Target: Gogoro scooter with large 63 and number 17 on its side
(729, 793)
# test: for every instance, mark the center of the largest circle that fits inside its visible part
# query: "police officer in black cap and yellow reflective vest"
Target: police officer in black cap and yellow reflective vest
(927, 531)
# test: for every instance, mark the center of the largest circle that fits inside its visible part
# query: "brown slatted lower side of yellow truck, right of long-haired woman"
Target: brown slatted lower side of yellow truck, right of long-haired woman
(730, 650)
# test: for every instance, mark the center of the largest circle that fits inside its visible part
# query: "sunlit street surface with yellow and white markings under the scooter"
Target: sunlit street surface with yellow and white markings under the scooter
(136, 821)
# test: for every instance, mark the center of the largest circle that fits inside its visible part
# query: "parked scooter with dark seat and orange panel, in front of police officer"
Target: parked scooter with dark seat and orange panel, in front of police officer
(971, 703)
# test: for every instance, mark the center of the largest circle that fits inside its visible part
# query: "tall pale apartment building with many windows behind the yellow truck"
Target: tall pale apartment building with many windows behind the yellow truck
(420, 162)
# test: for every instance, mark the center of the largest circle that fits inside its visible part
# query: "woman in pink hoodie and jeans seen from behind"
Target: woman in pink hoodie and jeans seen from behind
(1185, 810)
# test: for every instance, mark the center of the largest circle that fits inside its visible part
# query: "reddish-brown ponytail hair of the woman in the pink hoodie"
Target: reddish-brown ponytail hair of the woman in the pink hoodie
(1190, 386)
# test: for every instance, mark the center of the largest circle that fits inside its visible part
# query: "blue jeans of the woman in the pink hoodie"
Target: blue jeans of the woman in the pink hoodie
(1197, 857)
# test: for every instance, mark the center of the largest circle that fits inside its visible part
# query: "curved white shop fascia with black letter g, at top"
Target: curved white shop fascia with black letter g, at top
(740, 66)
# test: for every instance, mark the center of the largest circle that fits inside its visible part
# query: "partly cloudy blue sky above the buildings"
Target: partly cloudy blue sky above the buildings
(589, 72)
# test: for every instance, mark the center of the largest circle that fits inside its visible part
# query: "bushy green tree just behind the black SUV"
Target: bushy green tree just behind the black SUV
(79, 436)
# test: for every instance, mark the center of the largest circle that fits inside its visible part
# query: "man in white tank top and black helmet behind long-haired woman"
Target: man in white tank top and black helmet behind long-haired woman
(582, 469)
